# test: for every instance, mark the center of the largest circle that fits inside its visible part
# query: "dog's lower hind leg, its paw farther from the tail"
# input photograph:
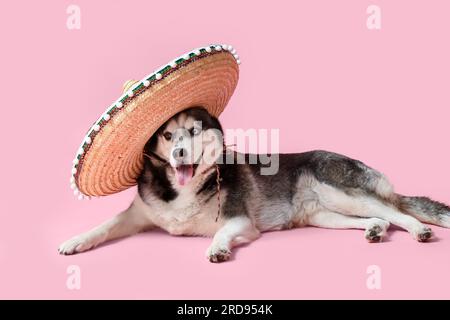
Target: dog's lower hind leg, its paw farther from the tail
(375, 228)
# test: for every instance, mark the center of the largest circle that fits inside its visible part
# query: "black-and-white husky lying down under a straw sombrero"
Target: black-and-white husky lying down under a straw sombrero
(234, 203)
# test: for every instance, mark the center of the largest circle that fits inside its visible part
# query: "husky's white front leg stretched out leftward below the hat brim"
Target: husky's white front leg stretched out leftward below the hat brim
(127, 223)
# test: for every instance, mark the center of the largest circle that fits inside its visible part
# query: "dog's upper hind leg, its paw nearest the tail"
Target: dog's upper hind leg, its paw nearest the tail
(366, 206)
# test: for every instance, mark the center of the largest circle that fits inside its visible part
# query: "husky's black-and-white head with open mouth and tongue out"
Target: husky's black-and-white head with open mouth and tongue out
(188, 143)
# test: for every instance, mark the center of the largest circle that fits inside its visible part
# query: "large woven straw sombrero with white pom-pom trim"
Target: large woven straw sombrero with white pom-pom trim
(110, 157)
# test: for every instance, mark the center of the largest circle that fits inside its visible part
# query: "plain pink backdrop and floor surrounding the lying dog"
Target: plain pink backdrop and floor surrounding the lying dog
(310, 68)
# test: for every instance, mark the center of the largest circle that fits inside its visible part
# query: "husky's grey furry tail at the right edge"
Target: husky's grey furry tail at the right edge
(425, 209)
